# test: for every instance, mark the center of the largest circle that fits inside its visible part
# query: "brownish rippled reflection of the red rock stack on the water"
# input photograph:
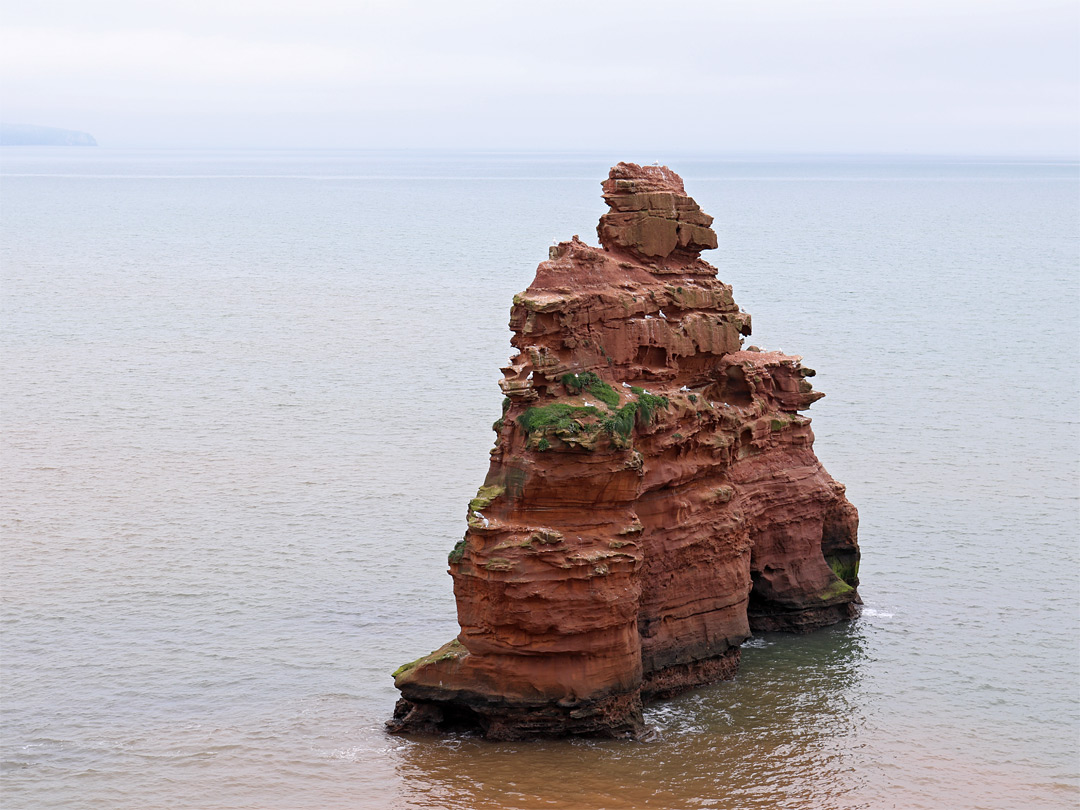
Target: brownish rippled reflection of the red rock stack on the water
(778, 736)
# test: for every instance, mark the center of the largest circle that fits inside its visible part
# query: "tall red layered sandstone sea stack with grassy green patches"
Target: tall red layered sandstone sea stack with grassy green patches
(653, 498)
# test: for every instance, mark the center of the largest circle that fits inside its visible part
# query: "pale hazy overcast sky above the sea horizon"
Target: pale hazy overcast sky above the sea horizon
(979, 77)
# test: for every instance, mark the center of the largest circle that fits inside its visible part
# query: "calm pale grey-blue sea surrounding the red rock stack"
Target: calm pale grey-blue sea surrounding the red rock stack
(247, 398)
